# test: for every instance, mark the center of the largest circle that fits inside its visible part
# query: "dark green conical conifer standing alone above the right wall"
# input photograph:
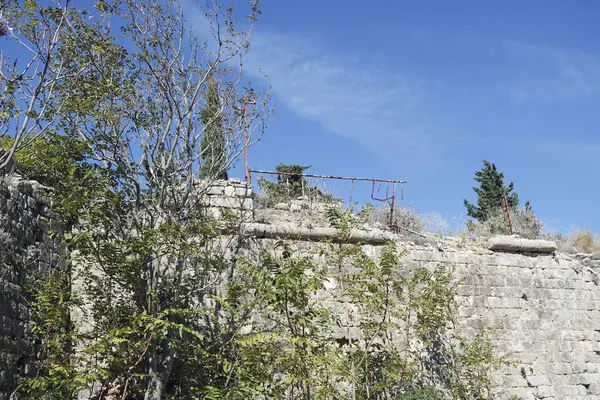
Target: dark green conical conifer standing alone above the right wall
(490, 192)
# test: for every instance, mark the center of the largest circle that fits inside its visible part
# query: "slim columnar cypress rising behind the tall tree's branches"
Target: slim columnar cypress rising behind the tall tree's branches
(213, 146)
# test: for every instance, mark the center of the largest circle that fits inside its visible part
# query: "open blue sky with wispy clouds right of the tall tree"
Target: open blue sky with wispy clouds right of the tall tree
(425, 90)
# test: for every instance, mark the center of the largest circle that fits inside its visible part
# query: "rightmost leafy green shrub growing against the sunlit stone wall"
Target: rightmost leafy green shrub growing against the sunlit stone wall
(406, 347)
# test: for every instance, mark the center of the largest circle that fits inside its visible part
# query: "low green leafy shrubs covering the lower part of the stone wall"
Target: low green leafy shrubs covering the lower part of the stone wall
(268, 334)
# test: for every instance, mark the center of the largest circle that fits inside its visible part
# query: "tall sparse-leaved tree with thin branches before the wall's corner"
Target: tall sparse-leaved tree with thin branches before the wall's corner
(133, 102)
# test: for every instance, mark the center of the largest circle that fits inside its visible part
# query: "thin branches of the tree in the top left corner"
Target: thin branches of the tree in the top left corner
(30, 95)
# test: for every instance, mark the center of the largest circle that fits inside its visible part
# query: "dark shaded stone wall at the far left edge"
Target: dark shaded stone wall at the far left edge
(26, 253)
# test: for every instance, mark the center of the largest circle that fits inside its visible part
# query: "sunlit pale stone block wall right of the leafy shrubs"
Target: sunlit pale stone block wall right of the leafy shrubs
(544, 309)
